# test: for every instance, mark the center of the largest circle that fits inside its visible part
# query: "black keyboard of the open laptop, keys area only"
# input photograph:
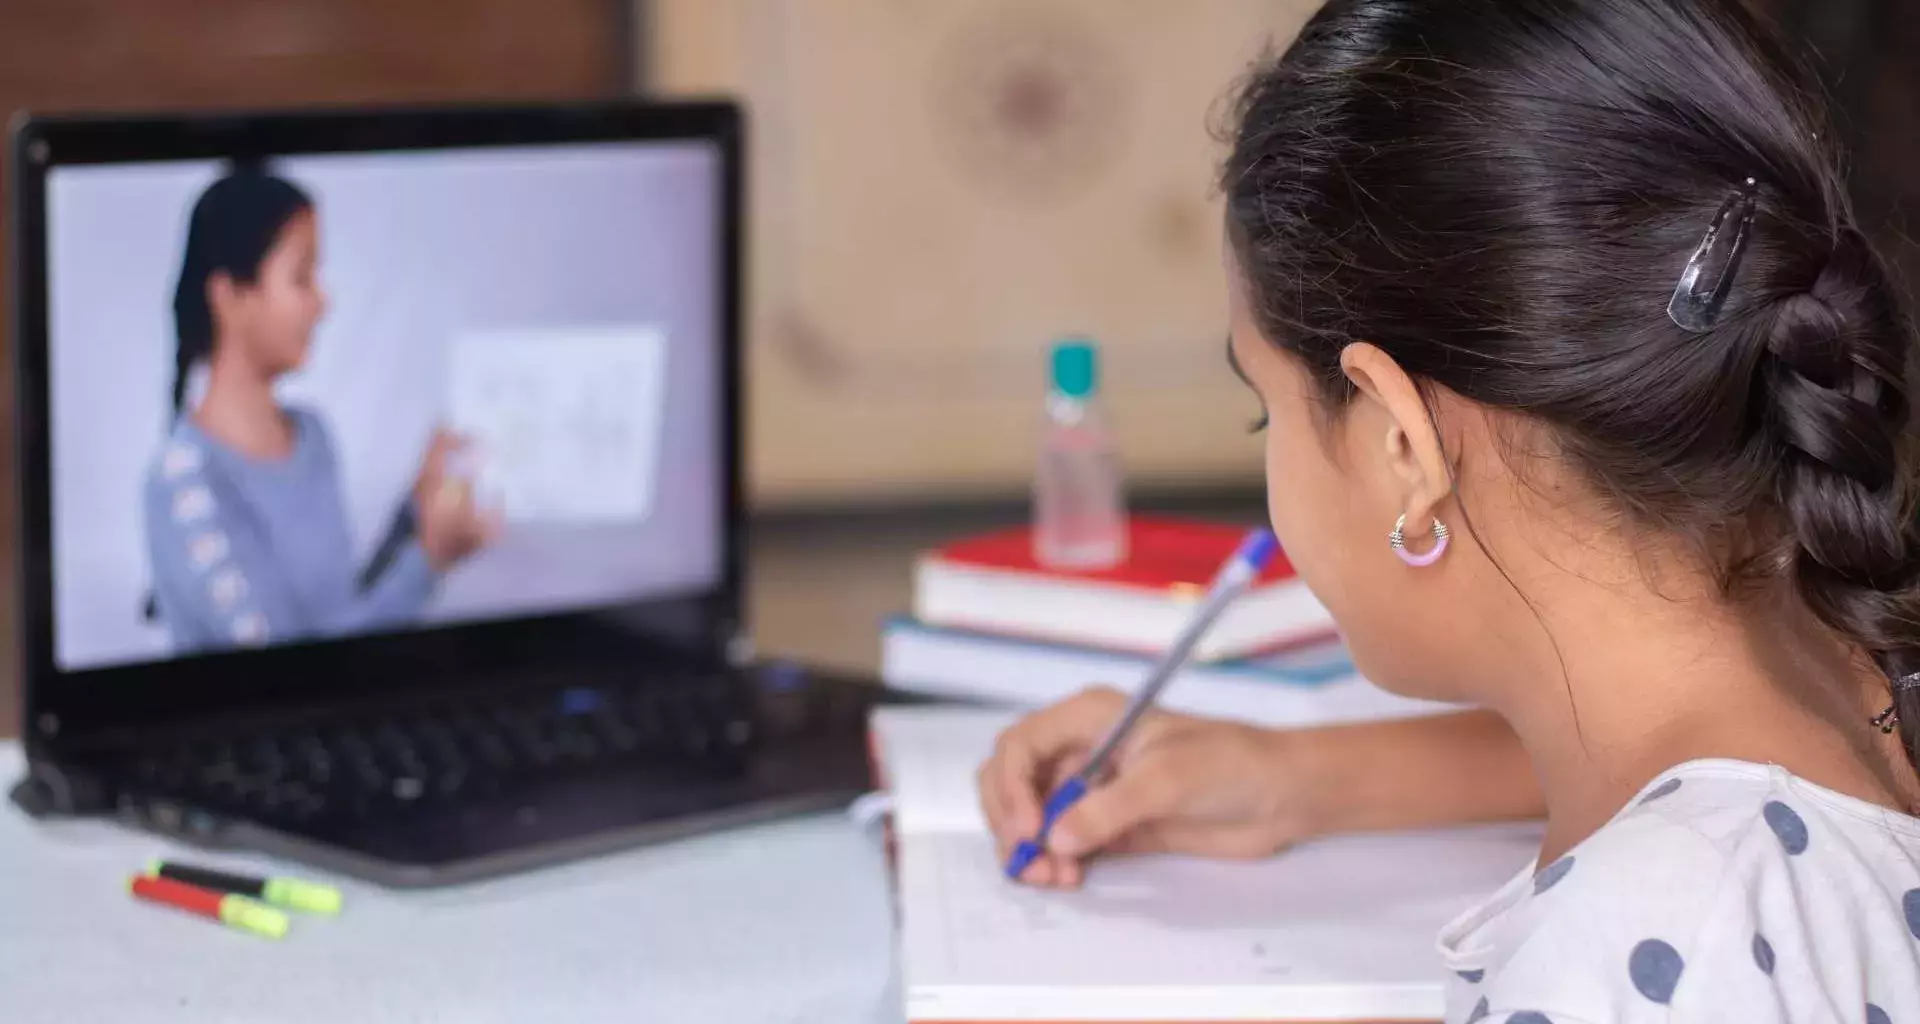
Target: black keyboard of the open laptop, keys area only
(452, 750)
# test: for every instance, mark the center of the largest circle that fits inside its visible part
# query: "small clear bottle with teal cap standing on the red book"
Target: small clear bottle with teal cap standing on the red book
(1080, 508)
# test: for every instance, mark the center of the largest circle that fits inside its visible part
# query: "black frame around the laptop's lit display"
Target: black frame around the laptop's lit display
(116, 704)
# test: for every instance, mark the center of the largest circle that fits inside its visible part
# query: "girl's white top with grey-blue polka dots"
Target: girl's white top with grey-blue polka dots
(1723, 892)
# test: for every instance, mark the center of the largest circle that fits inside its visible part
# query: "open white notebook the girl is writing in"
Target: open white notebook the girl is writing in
(1332, 931)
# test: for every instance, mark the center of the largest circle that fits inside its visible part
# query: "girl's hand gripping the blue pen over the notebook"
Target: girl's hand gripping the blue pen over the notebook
(1178, 785)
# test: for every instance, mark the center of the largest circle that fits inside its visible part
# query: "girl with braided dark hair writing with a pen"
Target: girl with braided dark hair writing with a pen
(1589, 406)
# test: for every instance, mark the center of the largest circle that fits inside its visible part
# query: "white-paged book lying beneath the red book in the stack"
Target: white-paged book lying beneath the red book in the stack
(1307, 687)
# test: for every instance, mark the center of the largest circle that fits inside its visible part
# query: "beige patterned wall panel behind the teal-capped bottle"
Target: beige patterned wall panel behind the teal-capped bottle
(940, 191)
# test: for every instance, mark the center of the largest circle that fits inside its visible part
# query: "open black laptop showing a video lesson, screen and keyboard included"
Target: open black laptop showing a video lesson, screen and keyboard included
(381, 489)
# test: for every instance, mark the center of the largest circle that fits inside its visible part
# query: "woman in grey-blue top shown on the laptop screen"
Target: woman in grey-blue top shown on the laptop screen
(245, 518)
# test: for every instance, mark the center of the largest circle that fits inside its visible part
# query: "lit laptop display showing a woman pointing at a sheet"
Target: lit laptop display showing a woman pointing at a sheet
(341, 395)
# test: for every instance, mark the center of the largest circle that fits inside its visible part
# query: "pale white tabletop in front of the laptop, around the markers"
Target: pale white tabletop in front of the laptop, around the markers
(777, 923)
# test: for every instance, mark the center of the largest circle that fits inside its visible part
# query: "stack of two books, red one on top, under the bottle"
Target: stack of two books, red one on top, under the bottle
(994, 625)
